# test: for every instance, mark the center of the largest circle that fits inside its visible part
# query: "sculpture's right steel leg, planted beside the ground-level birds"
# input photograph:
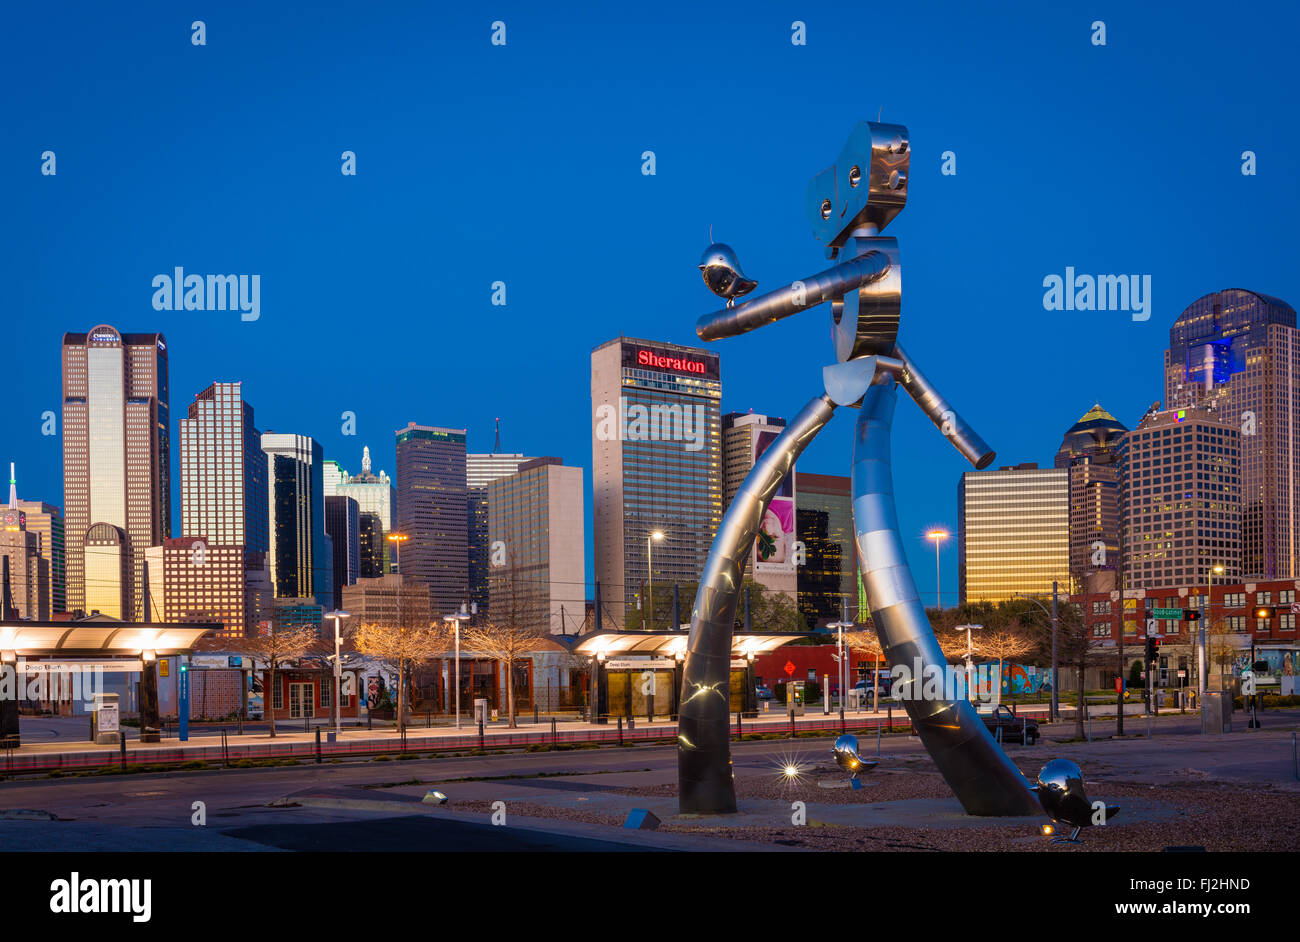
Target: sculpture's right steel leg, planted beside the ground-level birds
(976, 769)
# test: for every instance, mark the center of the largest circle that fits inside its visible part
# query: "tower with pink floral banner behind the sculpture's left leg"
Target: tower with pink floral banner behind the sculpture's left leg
(772, 562)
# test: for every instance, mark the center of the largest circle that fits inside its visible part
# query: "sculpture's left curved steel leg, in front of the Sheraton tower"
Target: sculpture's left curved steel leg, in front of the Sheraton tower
(704, 726)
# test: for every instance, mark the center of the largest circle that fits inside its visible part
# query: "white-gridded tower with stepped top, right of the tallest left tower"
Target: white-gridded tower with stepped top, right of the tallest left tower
(224, 493)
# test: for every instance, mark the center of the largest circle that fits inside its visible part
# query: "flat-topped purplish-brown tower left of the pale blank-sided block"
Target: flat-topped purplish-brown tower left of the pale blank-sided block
(432, 513)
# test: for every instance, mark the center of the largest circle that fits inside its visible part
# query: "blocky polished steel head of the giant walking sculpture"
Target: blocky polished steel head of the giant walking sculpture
(866, 185)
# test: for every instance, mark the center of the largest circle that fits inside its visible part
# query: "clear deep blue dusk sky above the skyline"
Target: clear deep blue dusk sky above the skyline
(523, 164)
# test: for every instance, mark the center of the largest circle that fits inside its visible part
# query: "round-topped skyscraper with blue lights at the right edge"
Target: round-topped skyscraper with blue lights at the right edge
(1243, 349)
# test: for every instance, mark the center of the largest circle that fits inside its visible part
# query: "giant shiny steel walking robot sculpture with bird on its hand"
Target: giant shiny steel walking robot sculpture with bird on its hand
(848, 205)
